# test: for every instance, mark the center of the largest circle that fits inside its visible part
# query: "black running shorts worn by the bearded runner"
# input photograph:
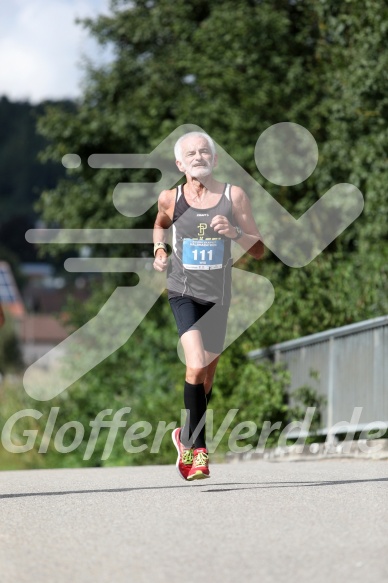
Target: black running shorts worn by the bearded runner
(189, 315)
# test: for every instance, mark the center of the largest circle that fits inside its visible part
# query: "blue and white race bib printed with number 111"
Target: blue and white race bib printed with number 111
(203, 253)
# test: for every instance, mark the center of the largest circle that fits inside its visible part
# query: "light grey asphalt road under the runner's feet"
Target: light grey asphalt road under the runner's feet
(252, 521)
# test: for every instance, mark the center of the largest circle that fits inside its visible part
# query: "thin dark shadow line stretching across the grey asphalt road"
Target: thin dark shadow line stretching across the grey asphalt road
(245, 486)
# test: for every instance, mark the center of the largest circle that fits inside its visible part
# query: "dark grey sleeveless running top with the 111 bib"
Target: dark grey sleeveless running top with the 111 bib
(200, 265)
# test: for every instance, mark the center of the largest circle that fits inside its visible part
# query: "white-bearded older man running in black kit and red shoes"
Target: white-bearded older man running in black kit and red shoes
(206, 215)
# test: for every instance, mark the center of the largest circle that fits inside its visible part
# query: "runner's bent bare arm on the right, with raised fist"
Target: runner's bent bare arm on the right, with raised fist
(251, 240)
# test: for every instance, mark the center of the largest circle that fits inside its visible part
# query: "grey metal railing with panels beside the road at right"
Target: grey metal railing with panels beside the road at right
(348, 365)
